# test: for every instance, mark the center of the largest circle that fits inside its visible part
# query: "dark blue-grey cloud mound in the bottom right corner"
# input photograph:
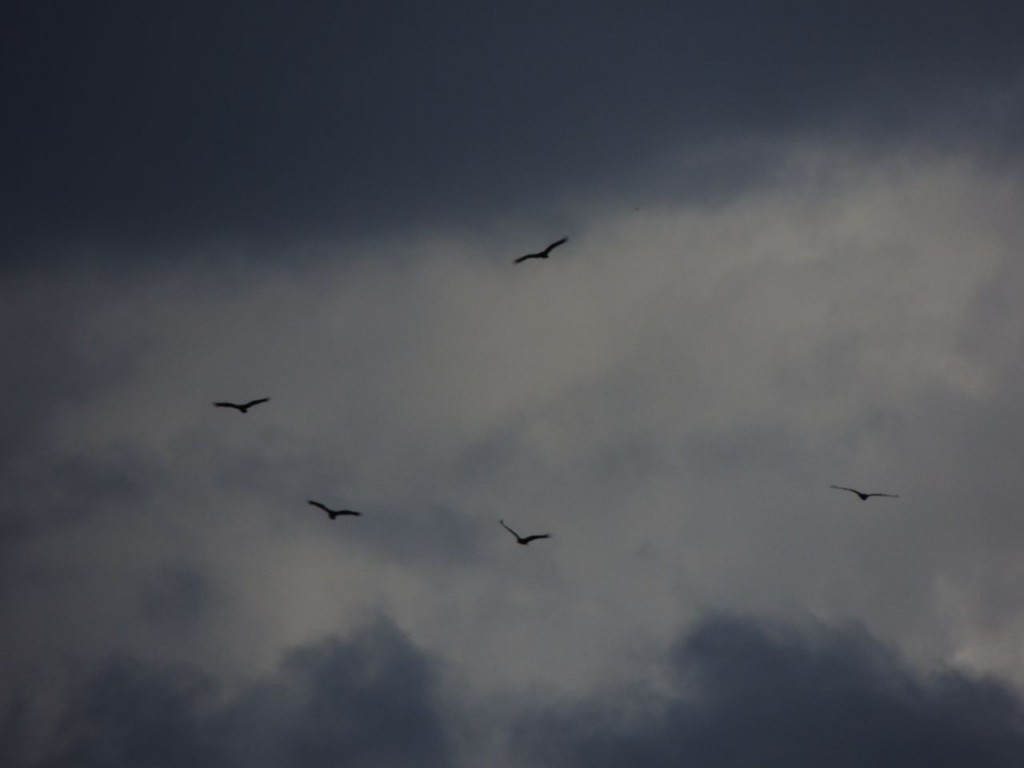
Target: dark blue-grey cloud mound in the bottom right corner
(753, 695)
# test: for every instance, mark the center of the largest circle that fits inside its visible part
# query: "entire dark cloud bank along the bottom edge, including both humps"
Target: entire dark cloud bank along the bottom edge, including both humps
(740, 692)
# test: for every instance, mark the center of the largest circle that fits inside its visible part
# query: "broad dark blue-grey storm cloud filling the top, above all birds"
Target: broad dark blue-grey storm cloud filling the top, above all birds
(259, 118)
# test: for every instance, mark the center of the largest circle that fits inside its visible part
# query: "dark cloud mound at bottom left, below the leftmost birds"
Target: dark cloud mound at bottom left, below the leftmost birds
(368, 701)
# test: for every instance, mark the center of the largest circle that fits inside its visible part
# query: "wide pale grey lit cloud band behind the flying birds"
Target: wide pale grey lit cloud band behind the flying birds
(670, 398)
